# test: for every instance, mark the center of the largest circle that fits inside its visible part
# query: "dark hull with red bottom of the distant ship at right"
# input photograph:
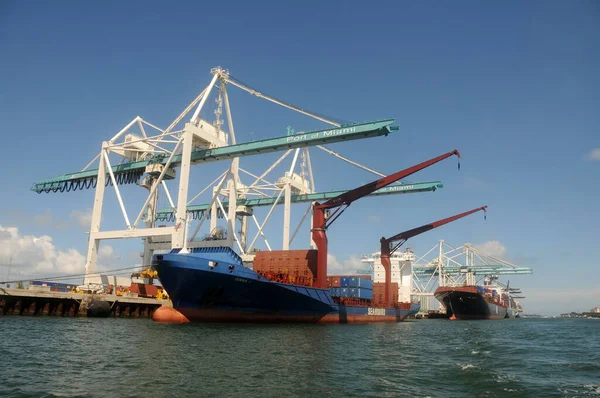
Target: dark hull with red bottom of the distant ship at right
(467, 303)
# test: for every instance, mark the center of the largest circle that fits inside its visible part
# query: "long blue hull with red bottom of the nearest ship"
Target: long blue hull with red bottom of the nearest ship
(229, 292)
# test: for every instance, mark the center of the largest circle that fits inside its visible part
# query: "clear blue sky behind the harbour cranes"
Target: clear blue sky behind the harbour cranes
(514, 86)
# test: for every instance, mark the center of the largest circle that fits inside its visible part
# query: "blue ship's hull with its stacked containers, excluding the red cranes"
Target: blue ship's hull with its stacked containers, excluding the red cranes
(213, 285)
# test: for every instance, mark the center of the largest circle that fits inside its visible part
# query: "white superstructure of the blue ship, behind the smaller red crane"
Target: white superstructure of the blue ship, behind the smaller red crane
(401, 263)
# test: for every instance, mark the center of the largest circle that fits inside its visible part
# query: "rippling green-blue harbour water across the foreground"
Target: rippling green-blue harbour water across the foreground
(49, 357)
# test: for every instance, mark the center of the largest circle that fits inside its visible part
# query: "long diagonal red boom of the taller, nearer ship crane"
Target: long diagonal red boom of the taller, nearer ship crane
(350, 196)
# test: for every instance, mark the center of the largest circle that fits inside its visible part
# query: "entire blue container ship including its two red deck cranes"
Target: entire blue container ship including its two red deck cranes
(213, 284)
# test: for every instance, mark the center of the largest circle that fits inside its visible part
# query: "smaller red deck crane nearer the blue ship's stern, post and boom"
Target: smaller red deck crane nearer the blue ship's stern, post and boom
(398, 240)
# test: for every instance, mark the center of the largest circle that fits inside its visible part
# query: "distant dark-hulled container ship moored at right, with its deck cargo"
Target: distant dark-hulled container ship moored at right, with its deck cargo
(478, 302)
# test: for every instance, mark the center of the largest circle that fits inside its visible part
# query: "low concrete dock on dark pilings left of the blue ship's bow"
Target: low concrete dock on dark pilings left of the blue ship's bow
(39, 302)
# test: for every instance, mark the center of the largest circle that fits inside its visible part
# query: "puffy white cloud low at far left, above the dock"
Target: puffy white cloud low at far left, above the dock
(31, 254)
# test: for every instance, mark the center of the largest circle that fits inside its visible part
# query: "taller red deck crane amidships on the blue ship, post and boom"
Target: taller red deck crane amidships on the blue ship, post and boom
(322, 221)
